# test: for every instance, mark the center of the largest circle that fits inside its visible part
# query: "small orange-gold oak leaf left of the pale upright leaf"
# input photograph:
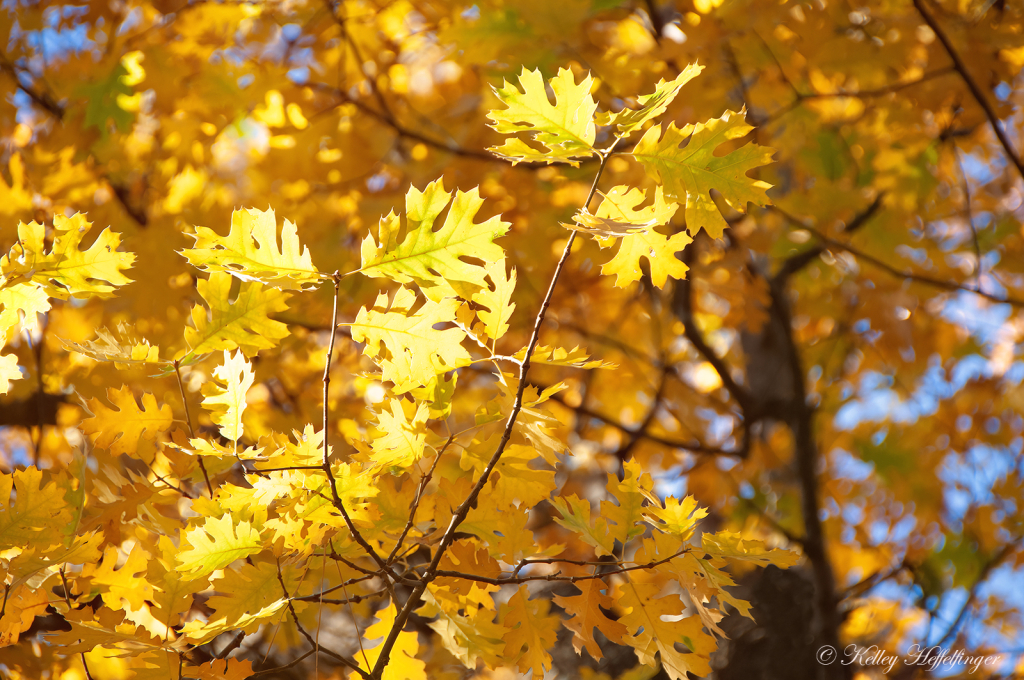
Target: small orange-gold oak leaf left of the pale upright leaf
(127, 429)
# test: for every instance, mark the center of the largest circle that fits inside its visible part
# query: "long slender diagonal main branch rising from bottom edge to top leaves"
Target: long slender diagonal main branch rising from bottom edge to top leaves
(463, 512)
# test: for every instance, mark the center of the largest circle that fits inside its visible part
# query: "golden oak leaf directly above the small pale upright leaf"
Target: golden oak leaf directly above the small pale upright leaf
(240, 324)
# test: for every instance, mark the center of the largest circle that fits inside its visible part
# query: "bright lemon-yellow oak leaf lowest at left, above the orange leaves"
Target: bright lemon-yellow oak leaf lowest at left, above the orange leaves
(216, 545)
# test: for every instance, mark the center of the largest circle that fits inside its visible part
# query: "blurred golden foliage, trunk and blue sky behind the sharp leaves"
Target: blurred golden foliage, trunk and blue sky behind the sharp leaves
(840, 374)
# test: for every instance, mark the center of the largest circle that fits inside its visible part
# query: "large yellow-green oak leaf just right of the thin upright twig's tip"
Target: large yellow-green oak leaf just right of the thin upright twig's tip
(433, 258)
